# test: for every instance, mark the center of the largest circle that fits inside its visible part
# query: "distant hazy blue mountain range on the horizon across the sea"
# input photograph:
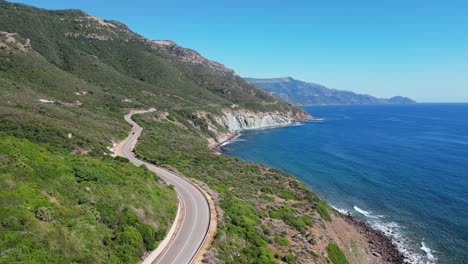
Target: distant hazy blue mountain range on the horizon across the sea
(302, 93)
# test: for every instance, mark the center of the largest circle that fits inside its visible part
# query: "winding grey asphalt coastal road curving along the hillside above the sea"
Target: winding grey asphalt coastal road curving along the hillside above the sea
(194, 221)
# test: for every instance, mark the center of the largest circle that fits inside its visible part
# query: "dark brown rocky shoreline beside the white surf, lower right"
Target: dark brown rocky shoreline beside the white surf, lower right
(381, 247)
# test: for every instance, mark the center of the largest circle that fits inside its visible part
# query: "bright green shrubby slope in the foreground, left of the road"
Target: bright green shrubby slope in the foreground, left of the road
(58, 207)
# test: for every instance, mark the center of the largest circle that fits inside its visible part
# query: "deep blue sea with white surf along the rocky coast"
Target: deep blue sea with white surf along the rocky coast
(402, 168)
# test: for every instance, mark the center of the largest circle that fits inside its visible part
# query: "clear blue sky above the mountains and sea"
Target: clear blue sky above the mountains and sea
(384, 48)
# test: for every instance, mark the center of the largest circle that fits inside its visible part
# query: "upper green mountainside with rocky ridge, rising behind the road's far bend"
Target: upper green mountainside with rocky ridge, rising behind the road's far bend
(94, 70)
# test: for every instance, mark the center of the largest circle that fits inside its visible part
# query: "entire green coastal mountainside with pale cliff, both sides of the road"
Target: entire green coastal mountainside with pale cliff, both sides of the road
(67, 79)
